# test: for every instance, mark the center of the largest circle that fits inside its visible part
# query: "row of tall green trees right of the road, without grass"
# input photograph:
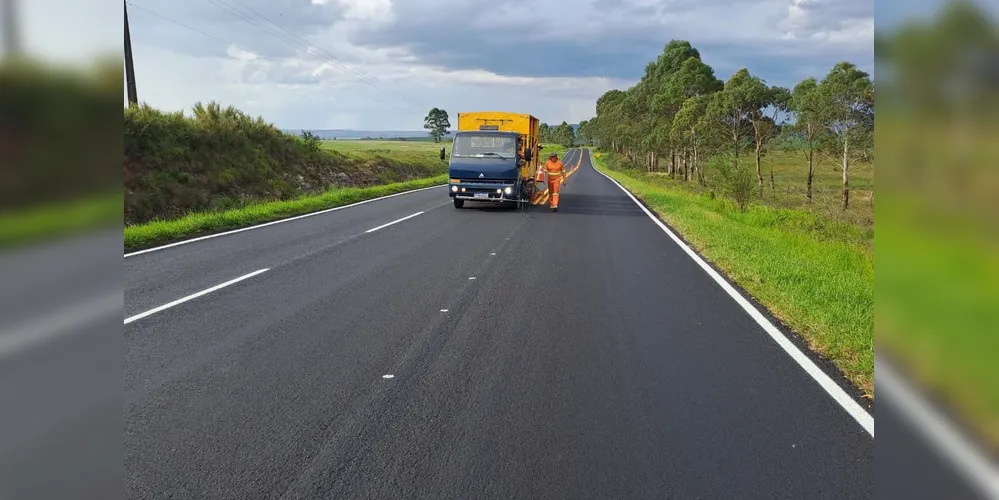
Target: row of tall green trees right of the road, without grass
(681, 113)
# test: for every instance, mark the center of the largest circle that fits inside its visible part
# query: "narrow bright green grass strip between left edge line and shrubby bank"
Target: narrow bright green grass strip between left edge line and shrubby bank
(140, 236)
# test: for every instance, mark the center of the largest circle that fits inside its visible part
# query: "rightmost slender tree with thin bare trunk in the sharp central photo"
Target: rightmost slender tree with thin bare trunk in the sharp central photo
(847, 97)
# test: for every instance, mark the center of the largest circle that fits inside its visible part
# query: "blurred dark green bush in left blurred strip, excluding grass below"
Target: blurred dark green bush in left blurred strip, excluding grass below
(58, 132)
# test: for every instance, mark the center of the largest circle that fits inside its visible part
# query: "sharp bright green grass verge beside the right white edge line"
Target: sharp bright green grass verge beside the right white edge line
(815, 274)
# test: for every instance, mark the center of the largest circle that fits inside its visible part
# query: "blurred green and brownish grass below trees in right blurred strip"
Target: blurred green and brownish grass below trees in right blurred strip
(938, 278)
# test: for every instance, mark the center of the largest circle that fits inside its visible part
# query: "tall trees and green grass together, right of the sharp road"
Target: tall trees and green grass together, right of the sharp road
(773, 185)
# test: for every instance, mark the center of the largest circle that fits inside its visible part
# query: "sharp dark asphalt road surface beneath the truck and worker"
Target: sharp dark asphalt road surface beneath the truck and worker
(472, 353)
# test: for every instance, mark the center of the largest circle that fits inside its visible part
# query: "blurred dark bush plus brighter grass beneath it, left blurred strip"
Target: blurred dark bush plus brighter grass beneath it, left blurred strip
(58, 144)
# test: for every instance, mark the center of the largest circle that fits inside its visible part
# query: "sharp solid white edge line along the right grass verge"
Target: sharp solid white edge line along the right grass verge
(865, 419)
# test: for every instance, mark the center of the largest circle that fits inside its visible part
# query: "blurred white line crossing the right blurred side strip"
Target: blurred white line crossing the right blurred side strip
(942, 435)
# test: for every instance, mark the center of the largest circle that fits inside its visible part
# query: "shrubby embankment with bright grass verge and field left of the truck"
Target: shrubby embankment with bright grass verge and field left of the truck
(221, 170)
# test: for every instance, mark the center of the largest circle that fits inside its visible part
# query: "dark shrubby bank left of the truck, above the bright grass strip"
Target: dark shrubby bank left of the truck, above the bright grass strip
(221, 159)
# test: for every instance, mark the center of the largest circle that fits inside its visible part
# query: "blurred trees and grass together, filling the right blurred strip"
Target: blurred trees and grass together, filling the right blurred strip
(938, 276)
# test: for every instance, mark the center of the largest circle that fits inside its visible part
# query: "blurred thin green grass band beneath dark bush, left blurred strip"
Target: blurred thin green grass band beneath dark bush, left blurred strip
(59, 219)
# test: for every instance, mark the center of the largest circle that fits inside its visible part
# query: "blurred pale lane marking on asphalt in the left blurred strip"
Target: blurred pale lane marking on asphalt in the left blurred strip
(59, 323)
